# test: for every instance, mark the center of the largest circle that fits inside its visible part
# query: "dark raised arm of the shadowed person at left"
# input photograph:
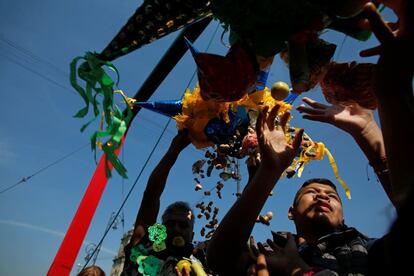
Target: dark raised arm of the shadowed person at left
(150, 204)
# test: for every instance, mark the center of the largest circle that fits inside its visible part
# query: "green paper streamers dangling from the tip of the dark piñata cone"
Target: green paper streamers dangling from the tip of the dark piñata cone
(98, 84)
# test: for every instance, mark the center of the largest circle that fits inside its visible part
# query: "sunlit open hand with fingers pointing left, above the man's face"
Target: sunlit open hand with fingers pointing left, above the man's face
(353, 119)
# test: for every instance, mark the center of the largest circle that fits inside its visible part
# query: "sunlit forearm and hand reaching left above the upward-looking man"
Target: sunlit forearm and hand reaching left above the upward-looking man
(360, 124)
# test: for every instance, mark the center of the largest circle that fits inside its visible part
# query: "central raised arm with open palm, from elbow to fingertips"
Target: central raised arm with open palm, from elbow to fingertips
(225, 251)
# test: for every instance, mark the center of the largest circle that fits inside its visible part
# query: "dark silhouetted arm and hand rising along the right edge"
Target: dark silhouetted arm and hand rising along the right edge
(394, 89)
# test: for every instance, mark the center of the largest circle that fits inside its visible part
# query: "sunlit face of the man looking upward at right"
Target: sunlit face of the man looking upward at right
(317, 203)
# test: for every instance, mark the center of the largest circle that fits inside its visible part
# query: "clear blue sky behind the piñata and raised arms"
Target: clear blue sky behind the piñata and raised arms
(38, 39)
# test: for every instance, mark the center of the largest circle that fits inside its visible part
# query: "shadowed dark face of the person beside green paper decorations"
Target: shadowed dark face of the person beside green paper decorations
(179, 229)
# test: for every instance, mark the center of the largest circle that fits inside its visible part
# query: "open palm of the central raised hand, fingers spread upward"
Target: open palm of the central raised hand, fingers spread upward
(276, 154)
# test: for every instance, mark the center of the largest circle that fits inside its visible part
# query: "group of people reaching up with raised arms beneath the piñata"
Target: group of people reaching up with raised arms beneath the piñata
(323, 244)
